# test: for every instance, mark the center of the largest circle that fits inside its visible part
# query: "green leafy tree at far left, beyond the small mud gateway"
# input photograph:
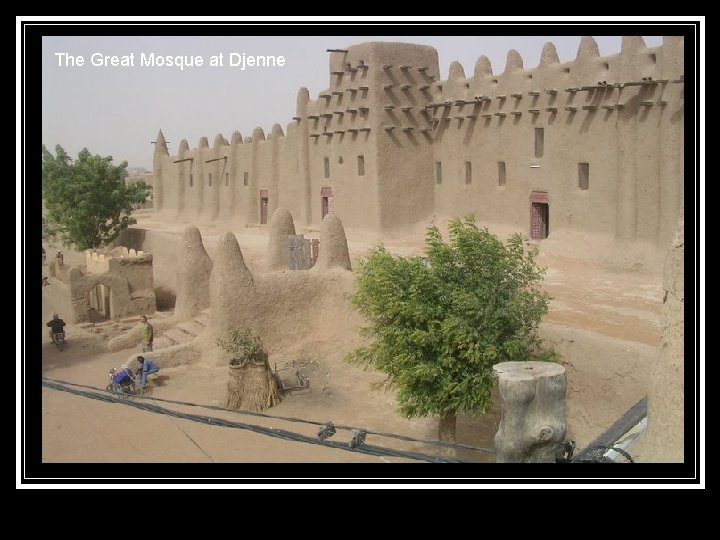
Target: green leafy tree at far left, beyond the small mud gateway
(87, 198)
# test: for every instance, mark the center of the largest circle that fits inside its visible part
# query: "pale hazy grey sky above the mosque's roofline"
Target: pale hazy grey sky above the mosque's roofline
(117, 111)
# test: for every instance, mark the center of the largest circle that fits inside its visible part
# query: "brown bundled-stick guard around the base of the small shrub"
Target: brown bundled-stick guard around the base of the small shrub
(251, 387)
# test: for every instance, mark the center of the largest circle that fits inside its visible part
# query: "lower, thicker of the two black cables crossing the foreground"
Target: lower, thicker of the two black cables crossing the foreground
(273, 432)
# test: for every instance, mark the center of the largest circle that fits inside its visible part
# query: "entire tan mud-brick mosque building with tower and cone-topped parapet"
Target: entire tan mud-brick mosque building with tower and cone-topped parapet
(389, 144)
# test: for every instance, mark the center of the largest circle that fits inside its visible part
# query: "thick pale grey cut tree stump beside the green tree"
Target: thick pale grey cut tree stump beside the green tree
(532, 427)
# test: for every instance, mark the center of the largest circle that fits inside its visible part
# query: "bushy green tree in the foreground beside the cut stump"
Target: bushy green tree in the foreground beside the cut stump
(438, 324)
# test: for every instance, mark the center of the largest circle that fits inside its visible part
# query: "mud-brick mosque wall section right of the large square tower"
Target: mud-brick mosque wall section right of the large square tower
(499, 138)
